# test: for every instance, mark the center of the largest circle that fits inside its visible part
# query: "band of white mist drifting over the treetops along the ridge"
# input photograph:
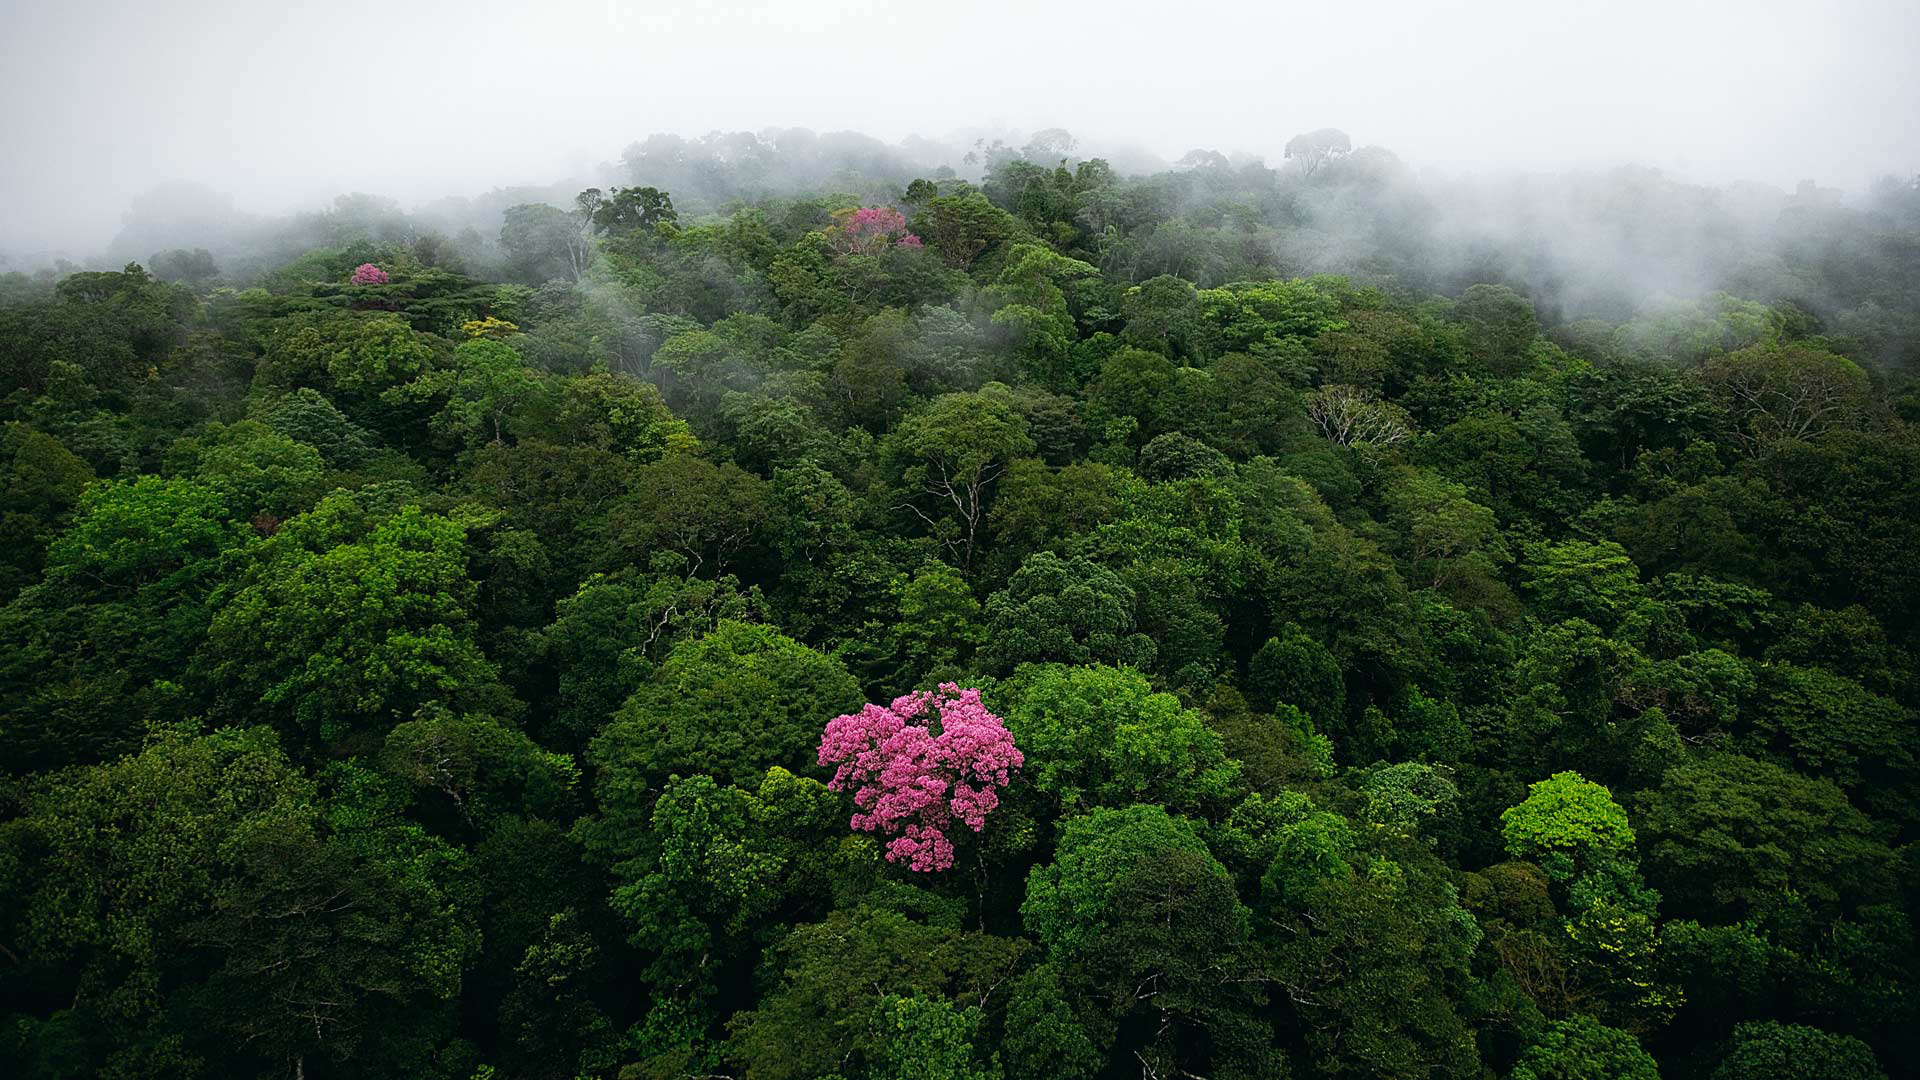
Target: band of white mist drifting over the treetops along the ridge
(1593, 245)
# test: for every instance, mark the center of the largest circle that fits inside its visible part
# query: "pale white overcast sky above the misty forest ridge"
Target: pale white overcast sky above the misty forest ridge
(287, 105)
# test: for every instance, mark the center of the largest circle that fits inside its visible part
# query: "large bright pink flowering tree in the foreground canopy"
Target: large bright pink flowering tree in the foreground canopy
(921, 766)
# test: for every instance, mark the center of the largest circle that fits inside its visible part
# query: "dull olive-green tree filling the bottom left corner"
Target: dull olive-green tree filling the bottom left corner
(107, 870)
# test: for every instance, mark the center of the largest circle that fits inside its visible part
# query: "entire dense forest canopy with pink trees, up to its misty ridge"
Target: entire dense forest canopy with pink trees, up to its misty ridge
(1389, 627)
